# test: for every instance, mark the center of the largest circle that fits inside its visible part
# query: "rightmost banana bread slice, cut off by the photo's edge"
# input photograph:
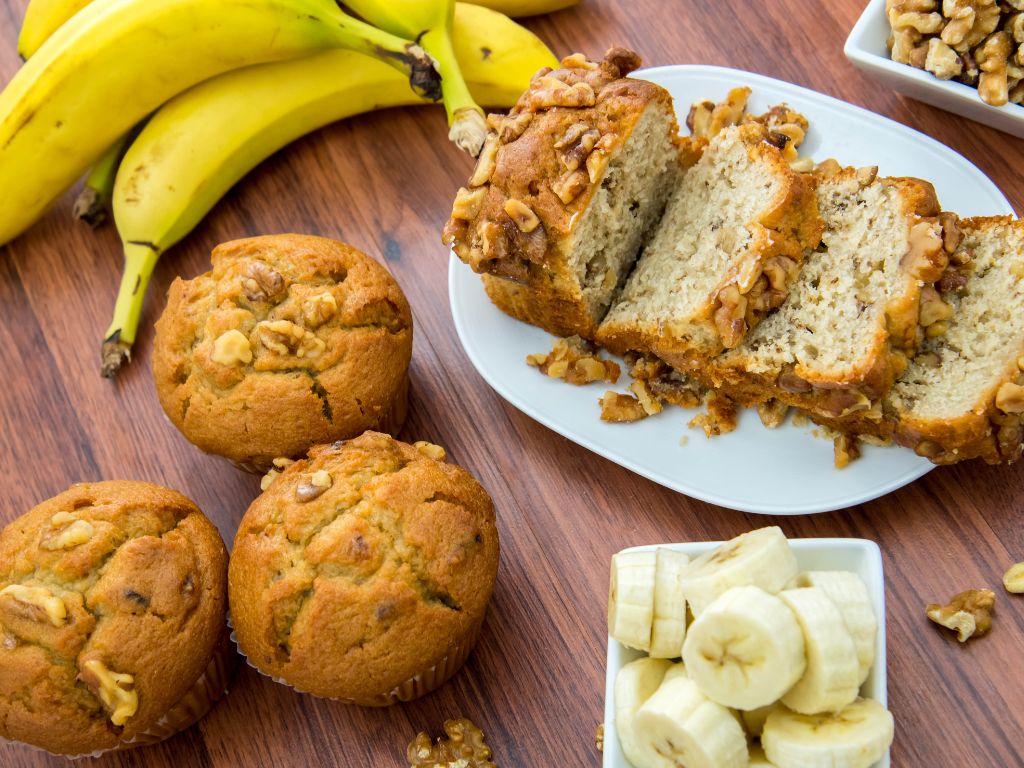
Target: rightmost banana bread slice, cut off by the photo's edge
(963, 397)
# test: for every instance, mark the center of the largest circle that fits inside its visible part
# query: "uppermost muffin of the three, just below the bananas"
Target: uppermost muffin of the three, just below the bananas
(290, 342)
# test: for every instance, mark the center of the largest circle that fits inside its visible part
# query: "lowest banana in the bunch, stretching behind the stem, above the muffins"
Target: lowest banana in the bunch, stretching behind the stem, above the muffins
(199, 145)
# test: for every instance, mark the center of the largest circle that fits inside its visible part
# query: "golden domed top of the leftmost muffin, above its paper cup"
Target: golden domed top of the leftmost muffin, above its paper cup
(112, 602)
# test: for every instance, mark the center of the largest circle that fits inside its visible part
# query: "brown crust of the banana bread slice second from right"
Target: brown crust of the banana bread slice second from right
(852, 400)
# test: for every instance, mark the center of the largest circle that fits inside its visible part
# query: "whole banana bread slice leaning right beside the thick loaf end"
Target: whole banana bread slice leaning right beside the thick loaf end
(723, 255)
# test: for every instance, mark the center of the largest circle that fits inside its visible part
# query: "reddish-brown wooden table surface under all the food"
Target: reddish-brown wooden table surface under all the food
(536, 682)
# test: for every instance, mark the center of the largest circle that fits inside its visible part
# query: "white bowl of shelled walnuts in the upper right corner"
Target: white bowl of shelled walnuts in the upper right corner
(966, 57)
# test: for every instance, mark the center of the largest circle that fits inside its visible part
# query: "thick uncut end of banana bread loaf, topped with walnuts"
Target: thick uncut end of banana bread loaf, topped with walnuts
(566, 188)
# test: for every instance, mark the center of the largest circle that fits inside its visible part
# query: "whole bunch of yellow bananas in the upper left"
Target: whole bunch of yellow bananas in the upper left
(195, 69)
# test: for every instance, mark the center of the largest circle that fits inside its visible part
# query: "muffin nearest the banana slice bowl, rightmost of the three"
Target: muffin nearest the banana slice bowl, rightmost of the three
(363, 573)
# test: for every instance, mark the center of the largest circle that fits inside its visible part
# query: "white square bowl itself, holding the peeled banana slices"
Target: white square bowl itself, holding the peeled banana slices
(859, 556)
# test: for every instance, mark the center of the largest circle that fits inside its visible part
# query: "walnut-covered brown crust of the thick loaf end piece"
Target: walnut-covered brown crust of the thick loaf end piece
(539, 158)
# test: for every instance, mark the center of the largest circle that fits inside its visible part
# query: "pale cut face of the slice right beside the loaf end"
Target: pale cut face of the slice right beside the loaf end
(702, 234)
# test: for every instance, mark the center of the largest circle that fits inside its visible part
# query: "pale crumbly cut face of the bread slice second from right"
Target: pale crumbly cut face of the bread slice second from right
(834, 319)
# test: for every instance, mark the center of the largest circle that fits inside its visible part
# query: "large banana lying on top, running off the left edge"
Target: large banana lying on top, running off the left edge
(117, 61)
